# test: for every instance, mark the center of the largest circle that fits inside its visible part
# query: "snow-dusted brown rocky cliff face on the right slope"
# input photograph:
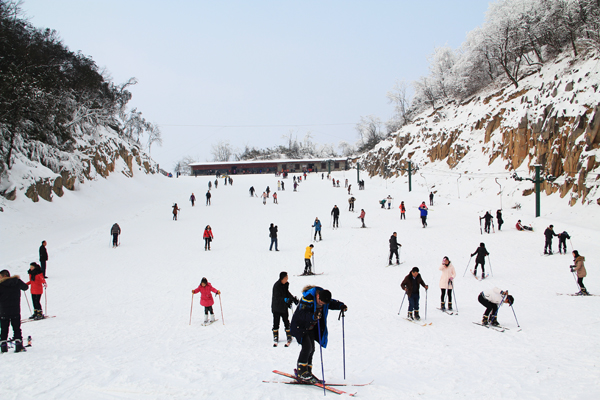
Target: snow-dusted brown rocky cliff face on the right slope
(552, 119)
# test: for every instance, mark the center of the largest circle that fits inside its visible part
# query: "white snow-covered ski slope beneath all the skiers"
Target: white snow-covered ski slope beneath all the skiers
(122, 330)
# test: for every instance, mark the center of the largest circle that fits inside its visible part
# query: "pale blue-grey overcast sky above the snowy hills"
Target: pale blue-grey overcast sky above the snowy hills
(261, 68)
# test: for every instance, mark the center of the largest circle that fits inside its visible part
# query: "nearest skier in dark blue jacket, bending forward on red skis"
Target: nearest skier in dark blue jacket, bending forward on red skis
(309, 324)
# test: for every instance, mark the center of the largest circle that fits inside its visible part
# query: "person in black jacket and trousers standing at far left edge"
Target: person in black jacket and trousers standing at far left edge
(10, 309)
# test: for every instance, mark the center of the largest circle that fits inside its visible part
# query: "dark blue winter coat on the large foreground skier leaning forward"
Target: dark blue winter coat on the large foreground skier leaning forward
(303, 318)
